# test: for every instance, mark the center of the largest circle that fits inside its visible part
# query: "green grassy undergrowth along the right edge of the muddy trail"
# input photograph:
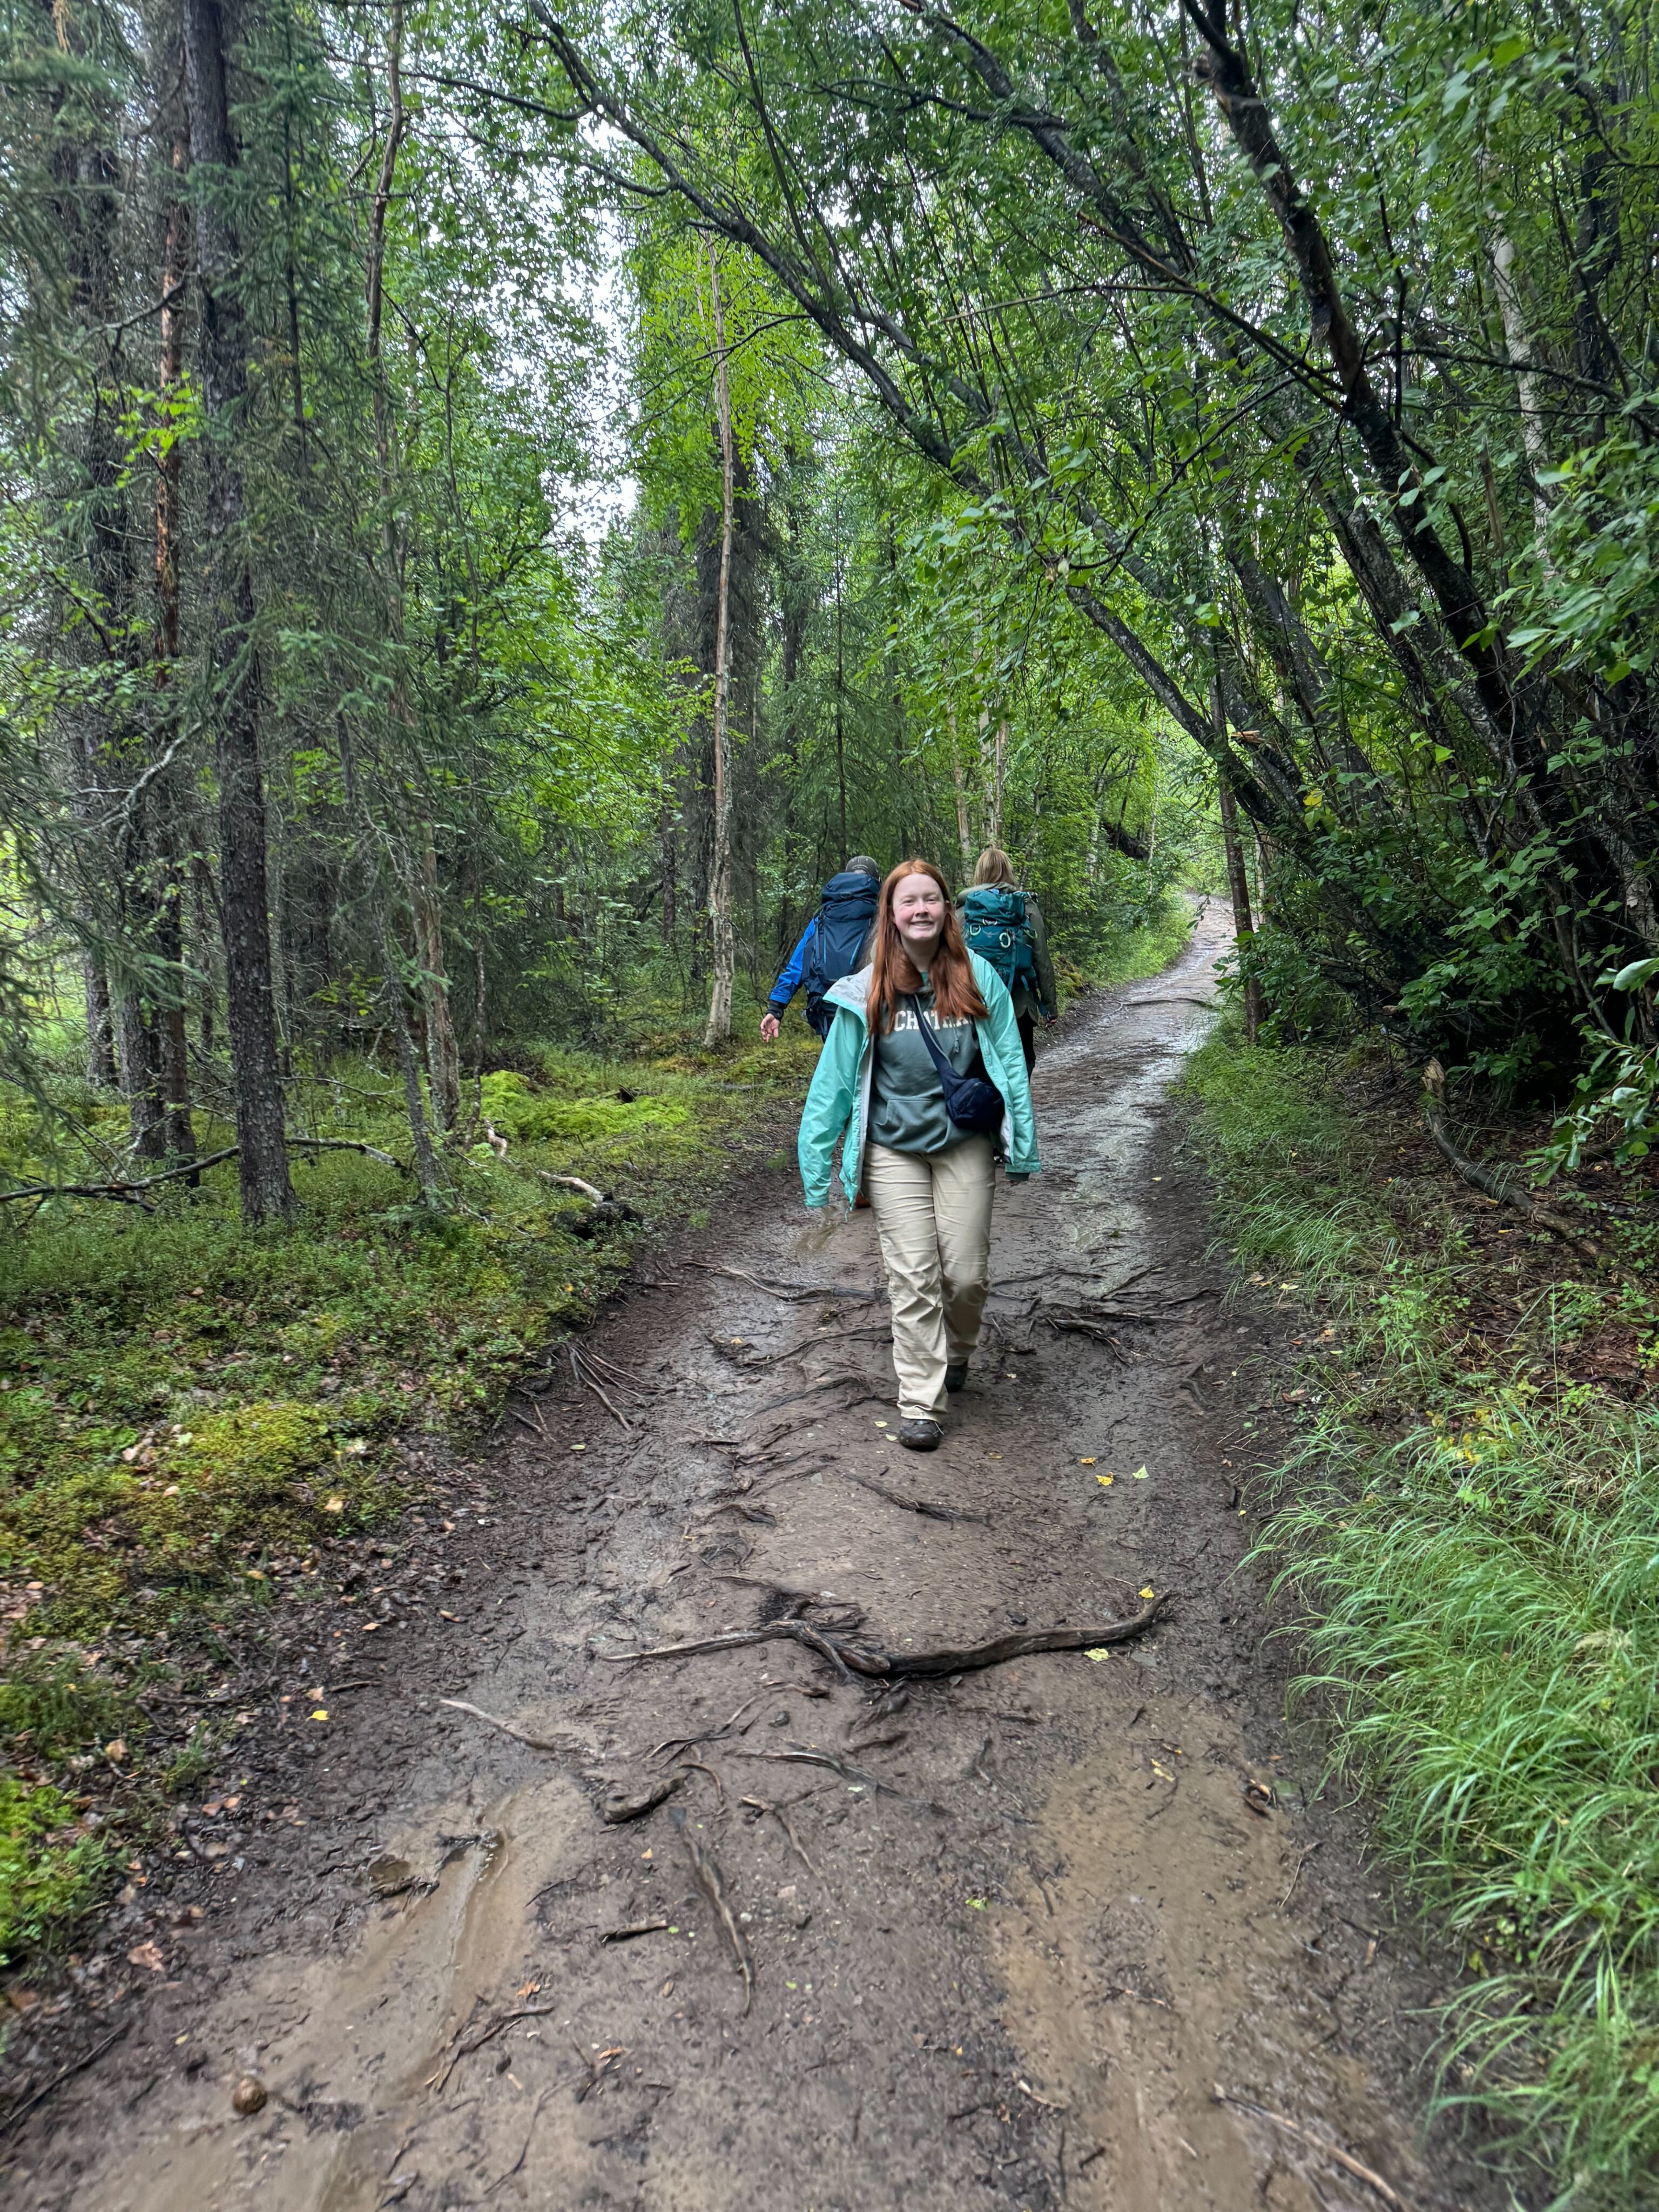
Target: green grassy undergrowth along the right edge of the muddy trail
(1463, 1545)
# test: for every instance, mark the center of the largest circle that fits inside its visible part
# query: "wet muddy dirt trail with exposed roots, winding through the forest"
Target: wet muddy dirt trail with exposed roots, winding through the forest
(1005, 1934)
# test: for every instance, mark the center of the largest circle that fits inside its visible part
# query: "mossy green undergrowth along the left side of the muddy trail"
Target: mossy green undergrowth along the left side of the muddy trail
(200, 1417)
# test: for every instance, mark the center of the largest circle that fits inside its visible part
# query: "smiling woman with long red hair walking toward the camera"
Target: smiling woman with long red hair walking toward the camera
(926, 1081)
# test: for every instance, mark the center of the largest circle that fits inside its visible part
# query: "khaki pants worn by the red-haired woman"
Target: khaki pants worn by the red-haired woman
(935, 1224)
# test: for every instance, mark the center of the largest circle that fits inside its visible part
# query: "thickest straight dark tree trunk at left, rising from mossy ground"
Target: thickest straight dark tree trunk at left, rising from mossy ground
(267, 1189)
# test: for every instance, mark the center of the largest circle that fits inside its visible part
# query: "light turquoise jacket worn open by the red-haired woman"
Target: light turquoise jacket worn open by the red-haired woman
(839, 1096)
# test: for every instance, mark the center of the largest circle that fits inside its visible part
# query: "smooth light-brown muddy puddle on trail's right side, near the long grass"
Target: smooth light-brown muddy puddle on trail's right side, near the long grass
(1158, 1963)
